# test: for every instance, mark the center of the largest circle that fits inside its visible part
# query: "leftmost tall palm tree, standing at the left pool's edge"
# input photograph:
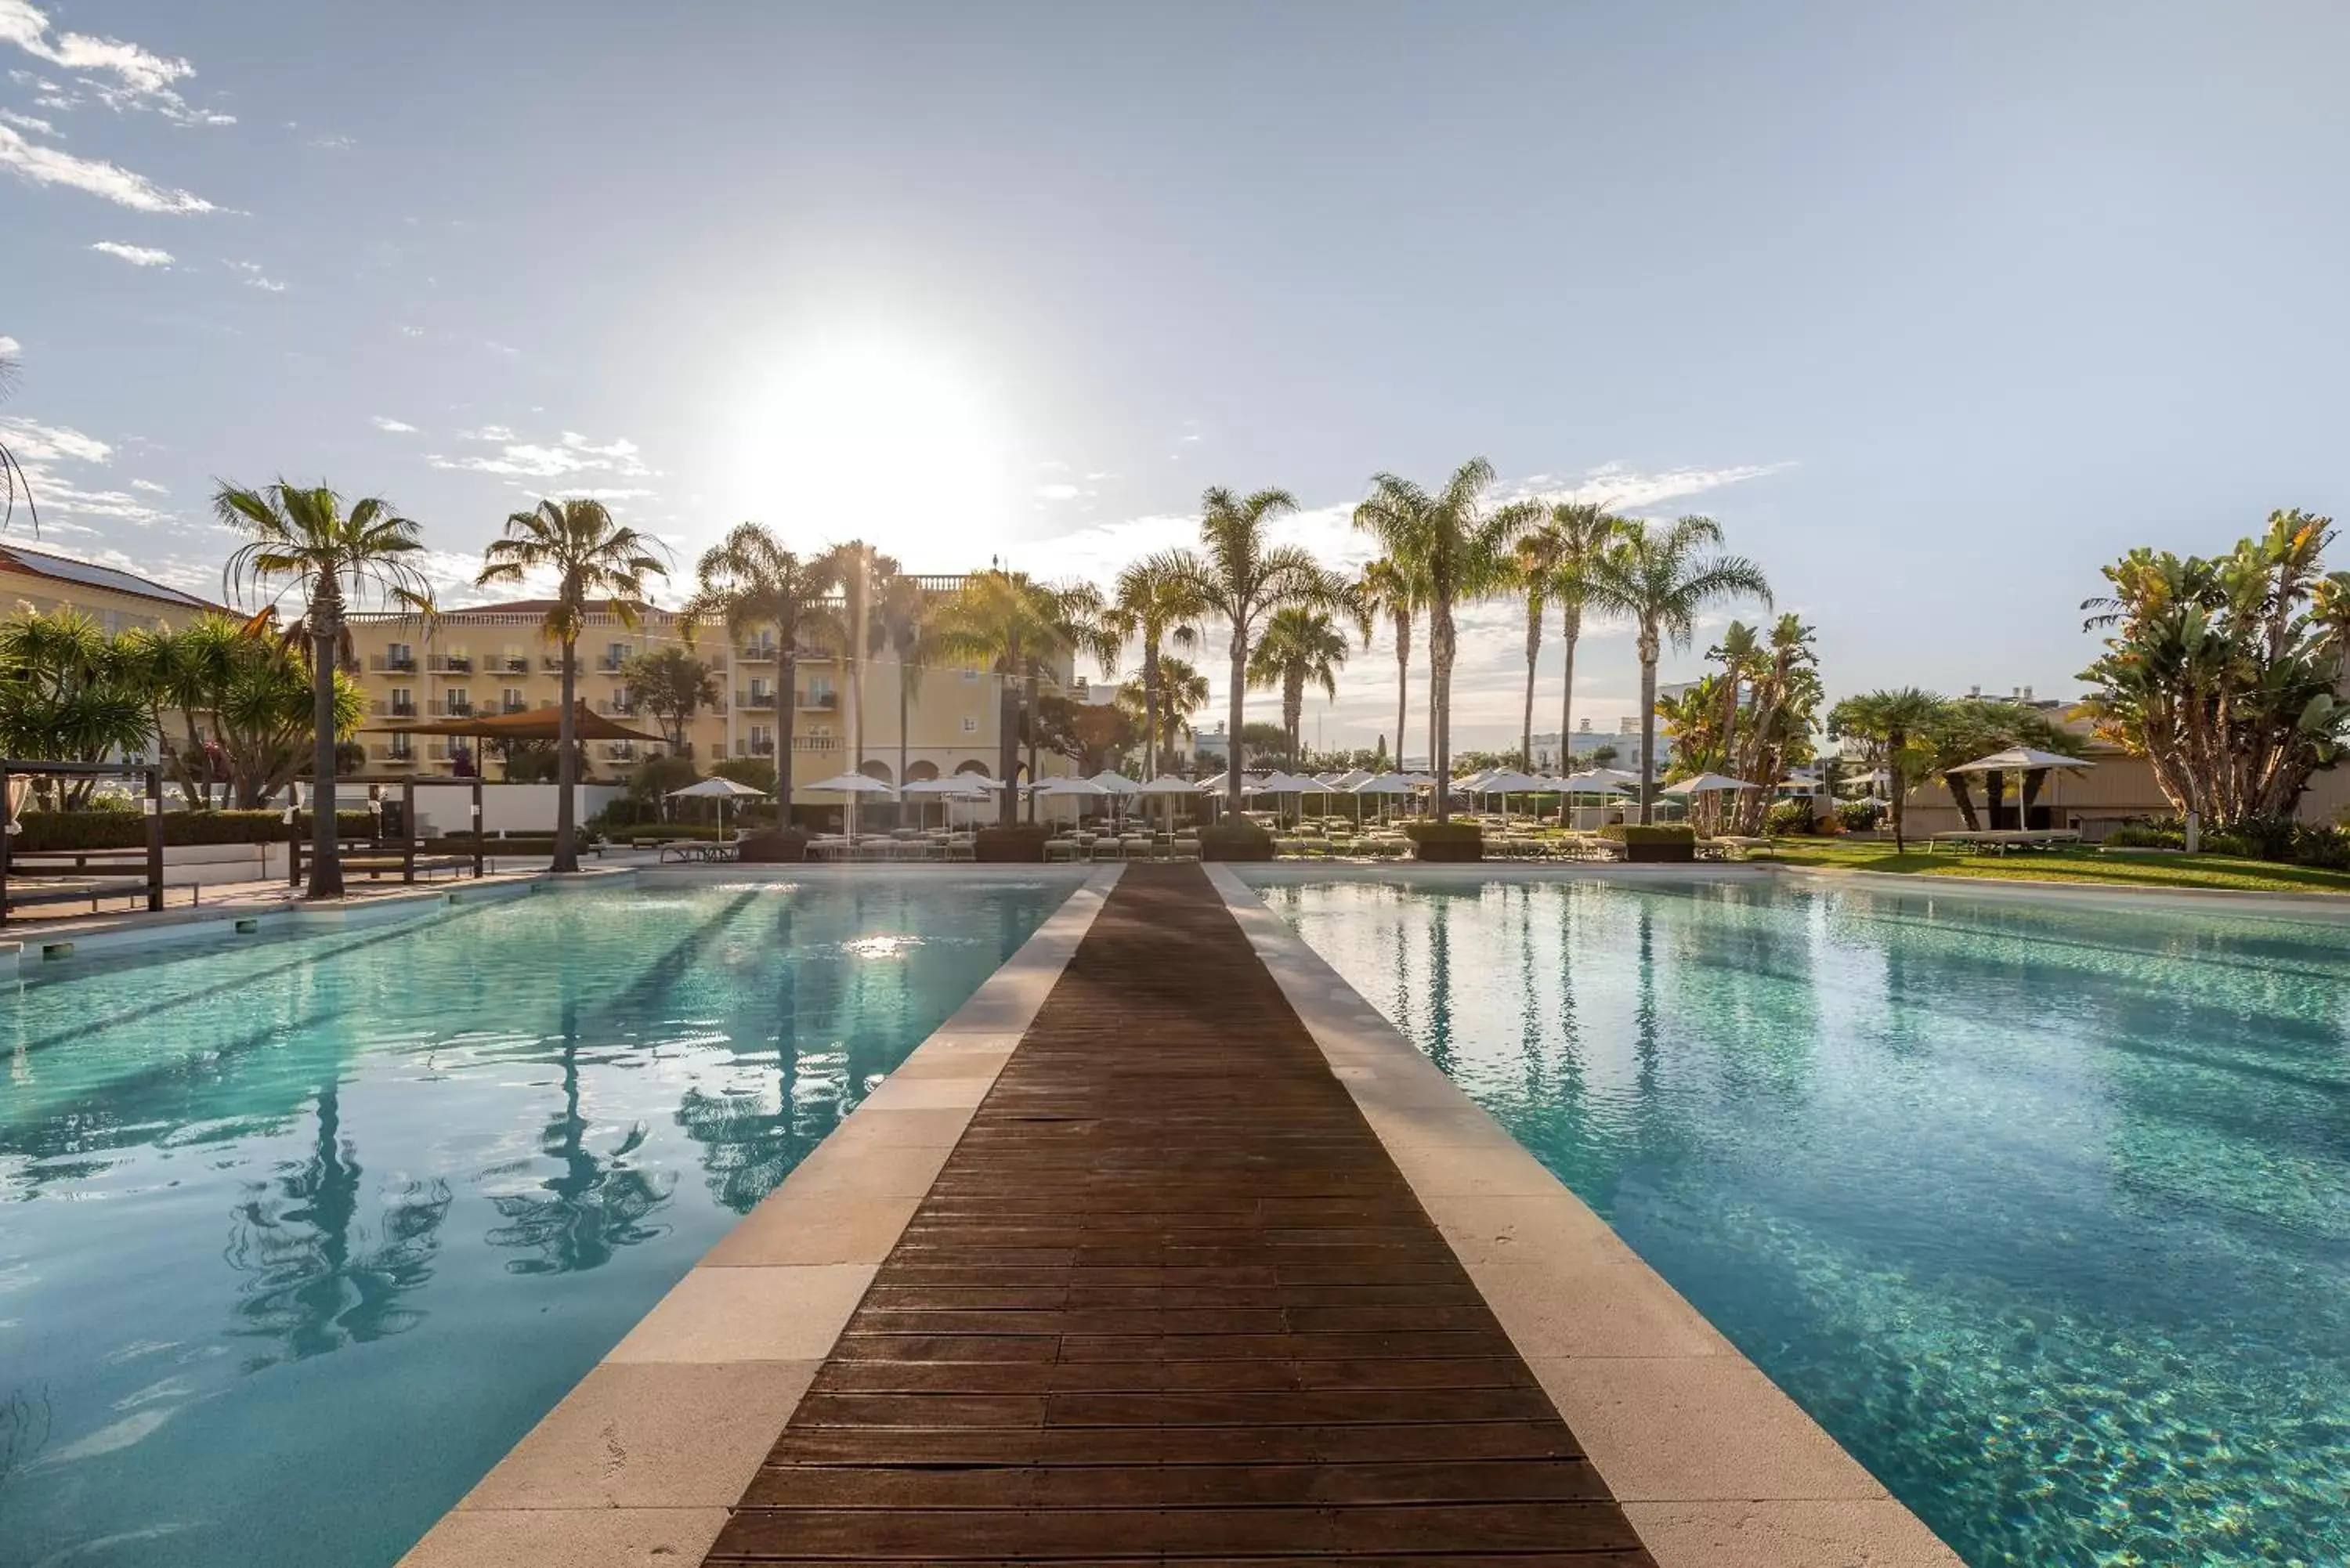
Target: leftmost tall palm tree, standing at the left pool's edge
(307, 540)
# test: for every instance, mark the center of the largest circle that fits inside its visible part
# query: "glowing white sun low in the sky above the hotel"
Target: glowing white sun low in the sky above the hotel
(873, 438)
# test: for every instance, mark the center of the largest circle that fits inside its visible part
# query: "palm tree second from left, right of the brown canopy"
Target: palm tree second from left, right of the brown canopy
(596, 561)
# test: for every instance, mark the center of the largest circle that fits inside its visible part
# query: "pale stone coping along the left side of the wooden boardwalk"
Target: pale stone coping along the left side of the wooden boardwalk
(643, 1461)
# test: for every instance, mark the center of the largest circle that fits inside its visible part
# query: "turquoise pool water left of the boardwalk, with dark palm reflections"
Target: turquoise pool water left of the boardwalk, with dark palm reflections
(300, 1235)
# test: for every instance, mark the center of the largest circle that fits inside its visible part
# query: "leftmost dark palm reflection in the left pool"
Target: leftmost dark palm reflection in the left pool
(314, 1282)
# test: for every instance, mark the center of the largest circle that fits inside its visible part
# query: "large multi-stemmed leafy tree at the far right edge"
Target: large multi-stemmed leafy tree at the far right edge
(2227, 674)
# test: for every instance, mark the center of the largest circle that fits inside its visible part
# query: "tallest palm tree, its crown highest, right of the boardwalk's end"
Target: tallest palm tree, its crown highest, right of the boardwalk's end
(1456, 547)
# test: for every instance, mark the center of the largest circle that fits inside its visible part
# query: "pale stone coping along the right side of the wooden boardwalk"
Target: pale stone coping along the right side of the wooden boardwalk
(1710, 1459)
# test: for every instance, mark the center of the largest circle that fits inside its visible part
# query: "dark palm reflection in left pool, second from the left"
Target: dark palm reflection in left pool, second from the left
(596, 1205)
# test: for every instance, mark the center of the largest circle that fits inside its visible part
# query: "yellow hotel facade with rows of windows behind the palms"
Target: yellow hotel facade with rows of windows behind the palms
(495, 659)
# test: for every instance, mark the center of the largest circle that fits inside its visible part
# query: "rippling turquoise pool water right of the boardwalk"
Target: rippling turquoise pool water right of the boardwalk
(2043, 1214)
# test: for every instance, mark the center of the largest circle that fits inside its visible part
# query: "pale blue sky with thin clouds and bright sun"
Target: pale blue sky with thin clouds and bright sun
(1933, 309)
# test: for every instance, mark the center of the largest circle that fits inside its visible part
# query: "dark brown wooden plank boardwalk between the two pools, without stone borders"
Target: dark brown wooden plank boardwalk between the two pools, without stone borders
(1171, 1299)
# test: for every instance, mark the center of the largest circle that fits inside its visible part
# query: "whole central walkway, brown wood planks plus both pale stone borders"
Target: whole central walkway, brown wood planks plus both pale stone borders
(1167, 1247)
